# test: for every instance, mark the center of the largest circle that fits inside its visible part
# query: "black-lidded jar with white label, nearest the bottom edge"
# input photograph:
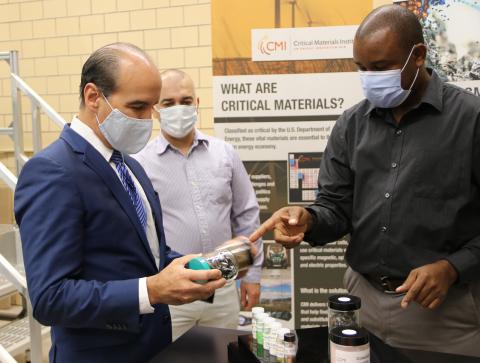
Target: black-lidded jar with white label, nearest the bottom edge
(349, 345)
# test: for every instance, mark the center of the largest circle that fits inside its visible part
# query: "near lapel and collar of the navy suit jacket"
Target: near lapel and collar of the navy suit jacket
(97, 163)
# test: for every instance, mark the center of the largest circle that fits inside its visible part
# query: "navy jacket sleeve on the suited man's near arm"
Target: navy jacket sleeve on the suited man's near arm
(49, 211)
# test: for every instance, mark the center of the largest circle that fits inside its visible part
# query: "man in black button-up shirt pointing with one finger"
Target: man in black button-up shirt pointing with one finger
(401, 174)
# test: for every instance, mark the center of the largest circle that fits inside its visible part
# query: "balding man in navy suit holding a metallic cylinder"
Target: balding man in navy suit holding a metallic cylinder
(98, 268)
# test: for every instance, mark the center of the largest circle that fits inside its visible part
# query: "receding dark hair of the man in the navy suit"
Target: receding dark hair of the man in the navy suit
(101, 68)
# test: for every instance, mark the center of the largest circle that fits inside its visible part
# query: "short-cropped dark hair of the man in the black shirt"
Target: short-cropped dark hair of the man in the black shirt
(399, 20)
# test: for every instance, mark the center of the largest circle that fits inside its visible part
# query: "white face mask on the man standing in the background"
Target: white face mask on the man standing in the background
(178, 121)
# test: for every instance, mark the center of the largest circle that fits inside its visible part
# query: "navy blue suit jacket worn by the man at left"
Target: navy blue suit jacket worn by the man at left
(84, 250)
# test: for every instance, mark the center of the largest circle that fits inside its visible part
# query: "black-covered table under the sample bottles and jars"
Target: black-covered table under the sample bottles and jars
(213, 345)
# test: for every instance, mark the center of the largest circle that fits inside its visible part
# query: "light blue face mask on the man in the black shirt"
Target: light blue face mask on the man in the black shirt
(384, 88)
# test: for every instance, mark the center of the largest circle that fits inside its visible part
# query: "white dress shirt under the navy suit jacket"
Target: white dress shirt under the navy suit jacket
(87, 133)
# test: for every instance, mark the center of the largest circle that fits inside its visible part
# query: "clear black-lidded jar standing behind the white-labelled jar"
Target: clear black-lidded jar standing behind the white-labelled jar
(343, 310)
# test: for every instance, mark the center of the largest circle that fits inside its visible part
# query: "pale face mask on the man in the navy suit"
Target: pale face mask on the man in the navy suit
(125, 134)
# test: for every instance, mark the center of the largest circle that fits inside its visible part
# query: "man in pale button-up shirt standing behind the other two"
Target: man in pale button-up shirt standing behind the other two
(206, 197)
